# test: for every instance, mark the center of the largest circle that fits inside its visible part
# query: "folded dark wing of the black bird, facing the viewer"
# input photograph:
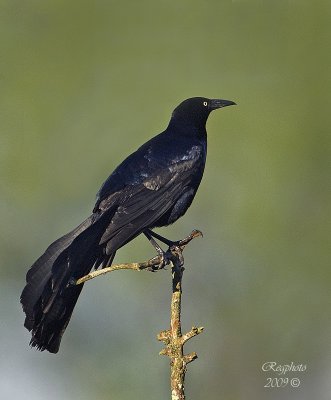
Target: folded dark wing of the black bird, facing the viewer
(141, 205)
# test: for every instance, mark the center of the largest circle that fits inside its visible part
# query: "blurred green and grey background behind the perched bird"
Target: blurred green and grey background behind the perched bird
(83, 84)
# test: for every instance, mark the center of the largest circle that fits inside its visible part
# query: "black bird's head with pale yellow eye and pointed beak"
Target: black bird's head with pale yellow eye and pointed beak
(195, 111)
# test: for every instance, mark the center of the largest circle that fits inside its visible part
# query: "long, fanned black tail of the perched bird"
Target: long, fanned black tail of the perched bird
(49, 296)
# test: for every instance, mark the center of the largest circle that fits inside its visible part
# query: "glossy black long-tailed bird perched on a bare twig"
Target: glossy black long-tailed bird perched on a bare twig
(153, 187)
